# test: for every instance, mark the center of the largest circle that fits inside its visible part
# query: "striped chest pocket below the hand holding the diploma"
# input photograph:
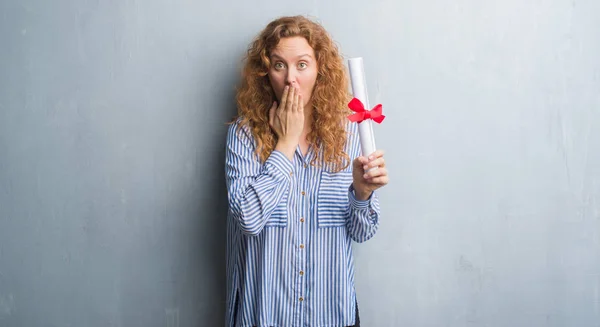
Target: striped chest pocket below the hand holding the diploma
(332, 198)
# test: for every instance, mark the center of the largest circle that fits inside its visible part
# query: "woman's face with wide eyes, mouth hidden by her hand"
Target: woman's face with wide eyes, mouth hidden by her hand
(293, 63)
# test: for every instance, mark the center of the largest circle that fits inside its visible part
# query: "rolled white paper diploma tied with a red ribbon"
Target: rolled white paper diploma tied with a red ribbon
(359, 91)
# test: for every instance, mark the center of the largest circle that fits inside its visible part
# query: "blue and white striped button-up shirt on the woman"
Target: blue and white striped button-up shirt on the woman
(290, 228)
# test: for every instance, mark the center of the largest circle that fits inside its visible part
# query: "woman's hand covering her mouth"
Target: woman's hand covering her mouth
(287, 120)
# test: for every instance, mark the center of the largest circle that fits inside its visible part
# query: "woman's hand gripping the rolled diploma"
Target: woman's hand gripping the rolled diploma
(366, 182)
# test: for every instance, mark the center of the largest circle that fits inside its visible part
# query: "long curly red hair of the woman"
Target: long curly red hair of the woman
(330, 95)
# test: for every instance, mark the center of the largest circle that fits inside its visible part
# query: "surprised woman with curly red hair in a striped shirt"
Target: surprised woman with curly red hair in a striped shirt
(297, 188)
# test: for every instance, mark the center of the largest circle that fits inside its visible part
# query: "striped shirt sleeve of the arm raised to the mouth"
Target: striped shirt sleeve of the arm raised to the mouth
(254, 189)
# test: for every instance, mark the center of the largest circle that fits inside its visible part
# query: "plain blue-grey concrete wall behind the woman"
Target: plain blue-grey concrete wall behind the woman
(112, 198)
